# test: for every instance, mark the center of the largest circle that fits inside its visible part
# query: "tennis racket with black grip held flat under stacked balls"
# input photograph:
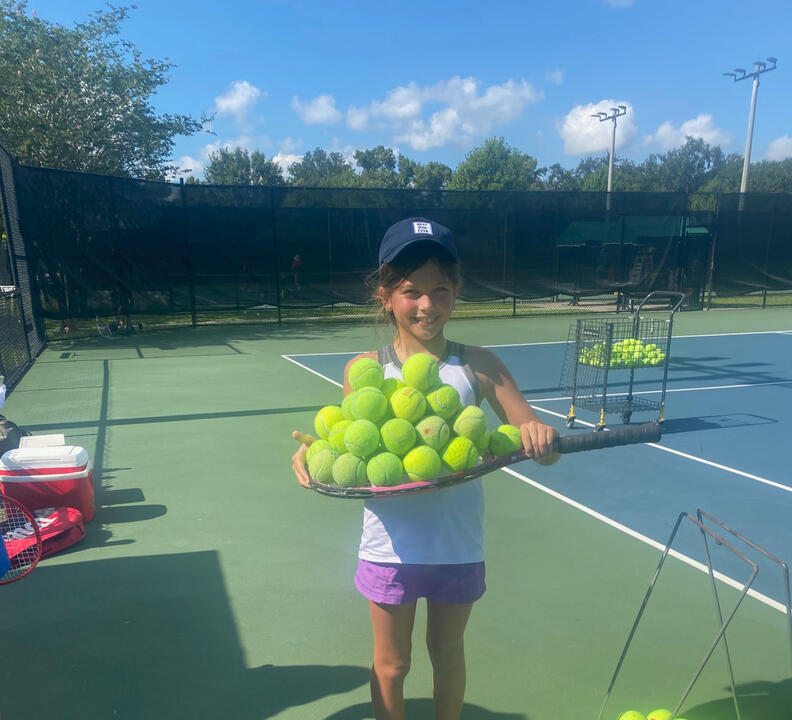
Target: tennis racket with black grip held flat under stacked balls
(630, 435)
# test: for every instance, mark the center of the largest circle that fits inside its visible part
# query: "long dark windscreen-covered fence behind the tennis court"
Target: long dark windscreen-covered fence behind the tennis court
(139, 253)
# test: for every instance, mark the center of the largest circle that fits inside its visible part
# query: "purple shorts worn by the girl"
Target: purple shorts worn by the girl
(398, 584)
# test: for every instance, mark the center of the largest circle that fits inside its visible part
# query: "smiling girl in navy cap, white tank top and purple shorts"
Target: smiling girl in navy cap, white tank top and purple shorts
(429, 545)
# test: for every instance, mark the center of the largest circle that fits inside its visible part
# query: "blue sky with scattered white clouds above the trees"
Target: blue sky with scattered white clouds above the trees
(433, 80)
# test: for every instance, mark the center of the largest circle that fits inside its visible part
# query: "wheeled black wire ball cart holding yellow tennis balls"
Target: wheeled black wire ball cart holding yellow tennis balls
(602, 356)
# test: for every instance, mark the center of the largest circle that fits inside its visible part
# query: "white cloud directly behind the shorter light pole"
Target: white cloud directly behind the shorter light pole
(584, 135)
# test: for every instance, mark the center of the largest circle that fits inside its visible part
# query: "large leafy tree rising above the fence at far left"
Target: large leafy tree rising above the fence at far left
(79, 98)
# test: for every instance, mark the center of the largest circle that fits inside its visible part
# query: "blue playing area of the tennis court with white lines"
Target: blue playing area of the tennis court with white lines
(724, 448)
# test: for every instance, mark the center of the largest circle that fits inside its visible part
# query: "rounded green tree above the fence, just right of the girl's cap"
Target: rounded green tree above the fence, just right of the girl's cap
(496, 166)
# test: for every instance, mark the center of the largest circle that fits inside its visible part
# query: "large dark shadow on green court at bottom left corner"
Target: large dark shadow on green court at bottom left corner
(142, 637)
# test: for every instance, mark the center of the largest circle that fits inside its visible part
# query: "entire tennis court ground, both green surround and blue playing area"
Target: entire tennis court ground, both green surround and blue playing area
(210, 583)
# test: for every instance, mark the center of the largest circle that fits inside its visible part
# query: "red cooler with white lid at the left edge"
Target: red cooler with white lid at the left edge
(42, 477)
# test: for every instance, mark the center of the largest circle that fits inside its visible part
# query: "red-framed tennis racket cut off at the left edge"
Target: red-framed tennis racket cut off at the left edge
(21, 540)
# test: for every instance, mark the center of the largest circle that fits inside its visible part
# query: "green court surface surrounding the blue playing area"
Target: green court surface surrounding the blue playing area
(211, 585)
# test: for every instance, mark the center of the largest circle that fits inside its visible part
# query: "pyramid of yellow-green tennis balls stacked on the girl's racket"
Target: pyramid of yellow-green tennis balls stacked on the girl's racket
(388, 432)
